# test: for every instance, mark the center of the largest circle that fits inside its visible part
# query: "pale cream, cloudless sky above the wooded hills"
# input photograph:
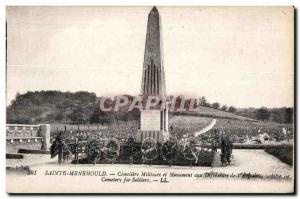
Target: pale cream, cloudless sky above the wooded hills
(240, 56)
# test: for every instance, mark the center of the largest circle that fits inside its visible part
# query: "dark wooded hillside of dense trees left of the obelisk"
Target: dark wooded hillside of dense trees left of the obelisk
(33, 105)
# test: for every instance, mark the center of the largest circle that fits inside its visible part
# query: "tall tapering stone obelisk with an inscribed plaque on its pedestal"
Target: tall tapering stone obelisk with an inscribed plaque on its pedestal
(154, 122)
